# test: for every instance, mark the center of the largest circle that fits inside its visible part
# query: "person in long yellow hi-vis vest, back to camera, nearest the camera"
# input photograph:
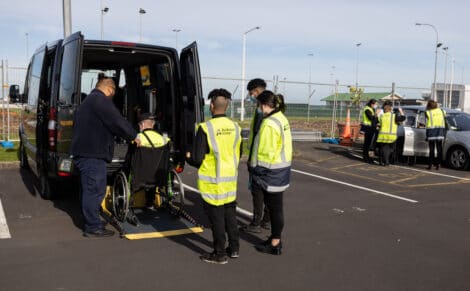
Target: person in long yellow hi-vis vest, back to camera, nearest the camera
(216, 154)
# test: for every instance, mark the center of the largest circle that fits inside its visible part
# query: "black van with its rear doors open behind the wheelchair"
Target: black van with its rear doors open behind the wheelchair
(148, 78)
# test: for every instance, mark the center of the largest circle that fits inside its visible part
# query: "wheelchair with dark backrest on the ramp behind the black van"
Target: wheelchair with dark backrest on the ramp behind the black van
(149, 169)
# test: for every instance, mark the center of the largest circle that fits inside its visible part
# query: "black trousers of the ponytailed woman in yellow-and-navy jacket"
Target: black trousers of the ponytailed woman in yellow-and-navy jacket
(274, 202)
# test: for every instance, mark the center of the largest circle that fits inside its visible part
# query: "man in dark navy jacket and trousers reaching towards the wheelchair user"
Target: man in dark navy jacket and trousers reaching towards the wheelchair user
(96, 123)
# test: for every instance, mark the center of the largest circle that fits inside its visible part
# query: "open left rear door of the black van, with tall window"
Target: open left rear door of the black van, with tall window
(69, 89)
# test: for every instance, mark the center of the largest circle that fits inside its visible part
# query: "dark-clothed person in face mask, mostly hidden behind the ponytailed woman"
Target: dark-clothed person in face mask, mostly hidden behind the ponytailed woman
(260, 212)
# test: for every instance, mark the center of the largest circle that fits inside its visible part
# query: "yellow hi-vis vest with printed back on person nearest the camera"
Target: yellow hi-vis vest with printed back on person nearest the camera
(217, 175)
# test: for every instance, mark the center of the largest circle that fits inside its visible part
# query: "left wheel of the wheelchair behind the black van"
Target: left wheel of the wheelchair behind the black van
(120, 196)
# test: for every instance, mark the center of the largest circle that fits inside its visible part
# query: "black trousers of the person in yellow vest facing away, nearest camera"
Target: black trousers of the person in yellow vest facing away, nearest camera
(223, 220)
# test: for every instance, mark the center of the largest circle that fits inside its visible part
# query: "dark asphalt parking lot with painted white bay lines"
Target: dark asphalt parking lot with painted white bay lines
(349, 226)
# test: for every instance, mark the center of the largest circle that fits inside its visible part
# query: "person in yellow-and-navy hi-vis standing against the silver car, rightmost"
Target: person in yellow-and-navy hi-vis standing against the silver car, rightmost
(435, 132)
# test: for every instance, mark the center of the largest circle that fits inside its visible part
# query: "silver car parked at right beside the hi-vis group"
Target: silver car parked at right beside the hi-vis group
(412, 136)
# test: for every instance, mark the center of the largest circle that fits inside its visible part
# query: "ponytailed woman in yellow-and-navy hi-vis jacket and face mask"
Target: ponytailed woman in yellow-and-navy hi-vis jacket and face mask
(271, 165)
